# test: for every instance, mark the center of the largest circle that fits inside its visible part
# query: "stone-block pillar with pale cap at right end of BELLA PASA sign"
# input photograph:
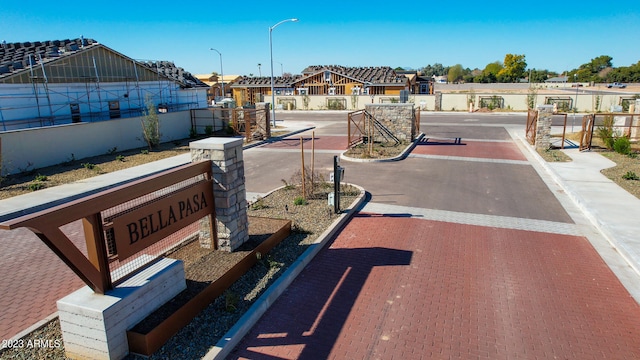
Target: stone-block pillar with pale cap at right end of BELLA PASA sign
(229, 191)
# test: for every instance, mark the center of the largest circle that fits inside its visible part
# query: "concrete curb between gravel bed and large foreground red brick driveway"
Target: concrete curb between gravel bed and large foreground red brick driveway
(231, 339)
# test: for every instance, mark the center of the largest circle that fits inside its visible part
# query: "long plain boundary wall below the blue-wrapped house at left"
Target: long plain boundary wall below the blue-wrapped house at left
(39, 147)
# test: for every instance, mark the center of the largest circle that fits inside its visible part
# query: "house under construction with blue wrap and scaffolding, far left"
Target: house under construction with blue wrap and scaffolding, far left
(68, 81)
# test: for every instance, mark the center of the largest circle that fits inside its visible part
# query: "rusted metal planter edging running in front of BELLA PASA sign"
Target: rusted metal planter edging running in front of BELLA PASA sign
(147, 344)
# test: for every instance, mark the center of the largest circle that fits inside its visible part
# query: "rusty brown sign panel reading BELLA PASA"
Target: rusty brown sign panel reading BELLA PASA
(137, 230)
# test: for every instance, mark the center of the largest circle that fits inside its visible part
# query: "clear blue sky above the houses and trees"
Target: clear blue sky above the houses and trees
(556, 36)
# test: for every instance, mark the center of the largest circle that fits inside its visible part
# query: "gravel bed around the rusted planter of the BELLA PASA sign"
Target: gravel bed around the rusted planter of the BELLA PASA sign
(195, 340)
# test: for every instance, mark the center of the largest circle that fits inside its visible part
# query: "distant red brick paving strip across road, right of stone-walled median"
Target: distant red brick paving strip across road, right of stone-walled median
(475, 149)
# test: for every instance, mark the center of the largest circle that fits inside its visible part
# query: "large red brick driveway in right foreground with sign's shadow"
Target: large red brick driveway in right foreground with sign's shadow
(402, 288)
